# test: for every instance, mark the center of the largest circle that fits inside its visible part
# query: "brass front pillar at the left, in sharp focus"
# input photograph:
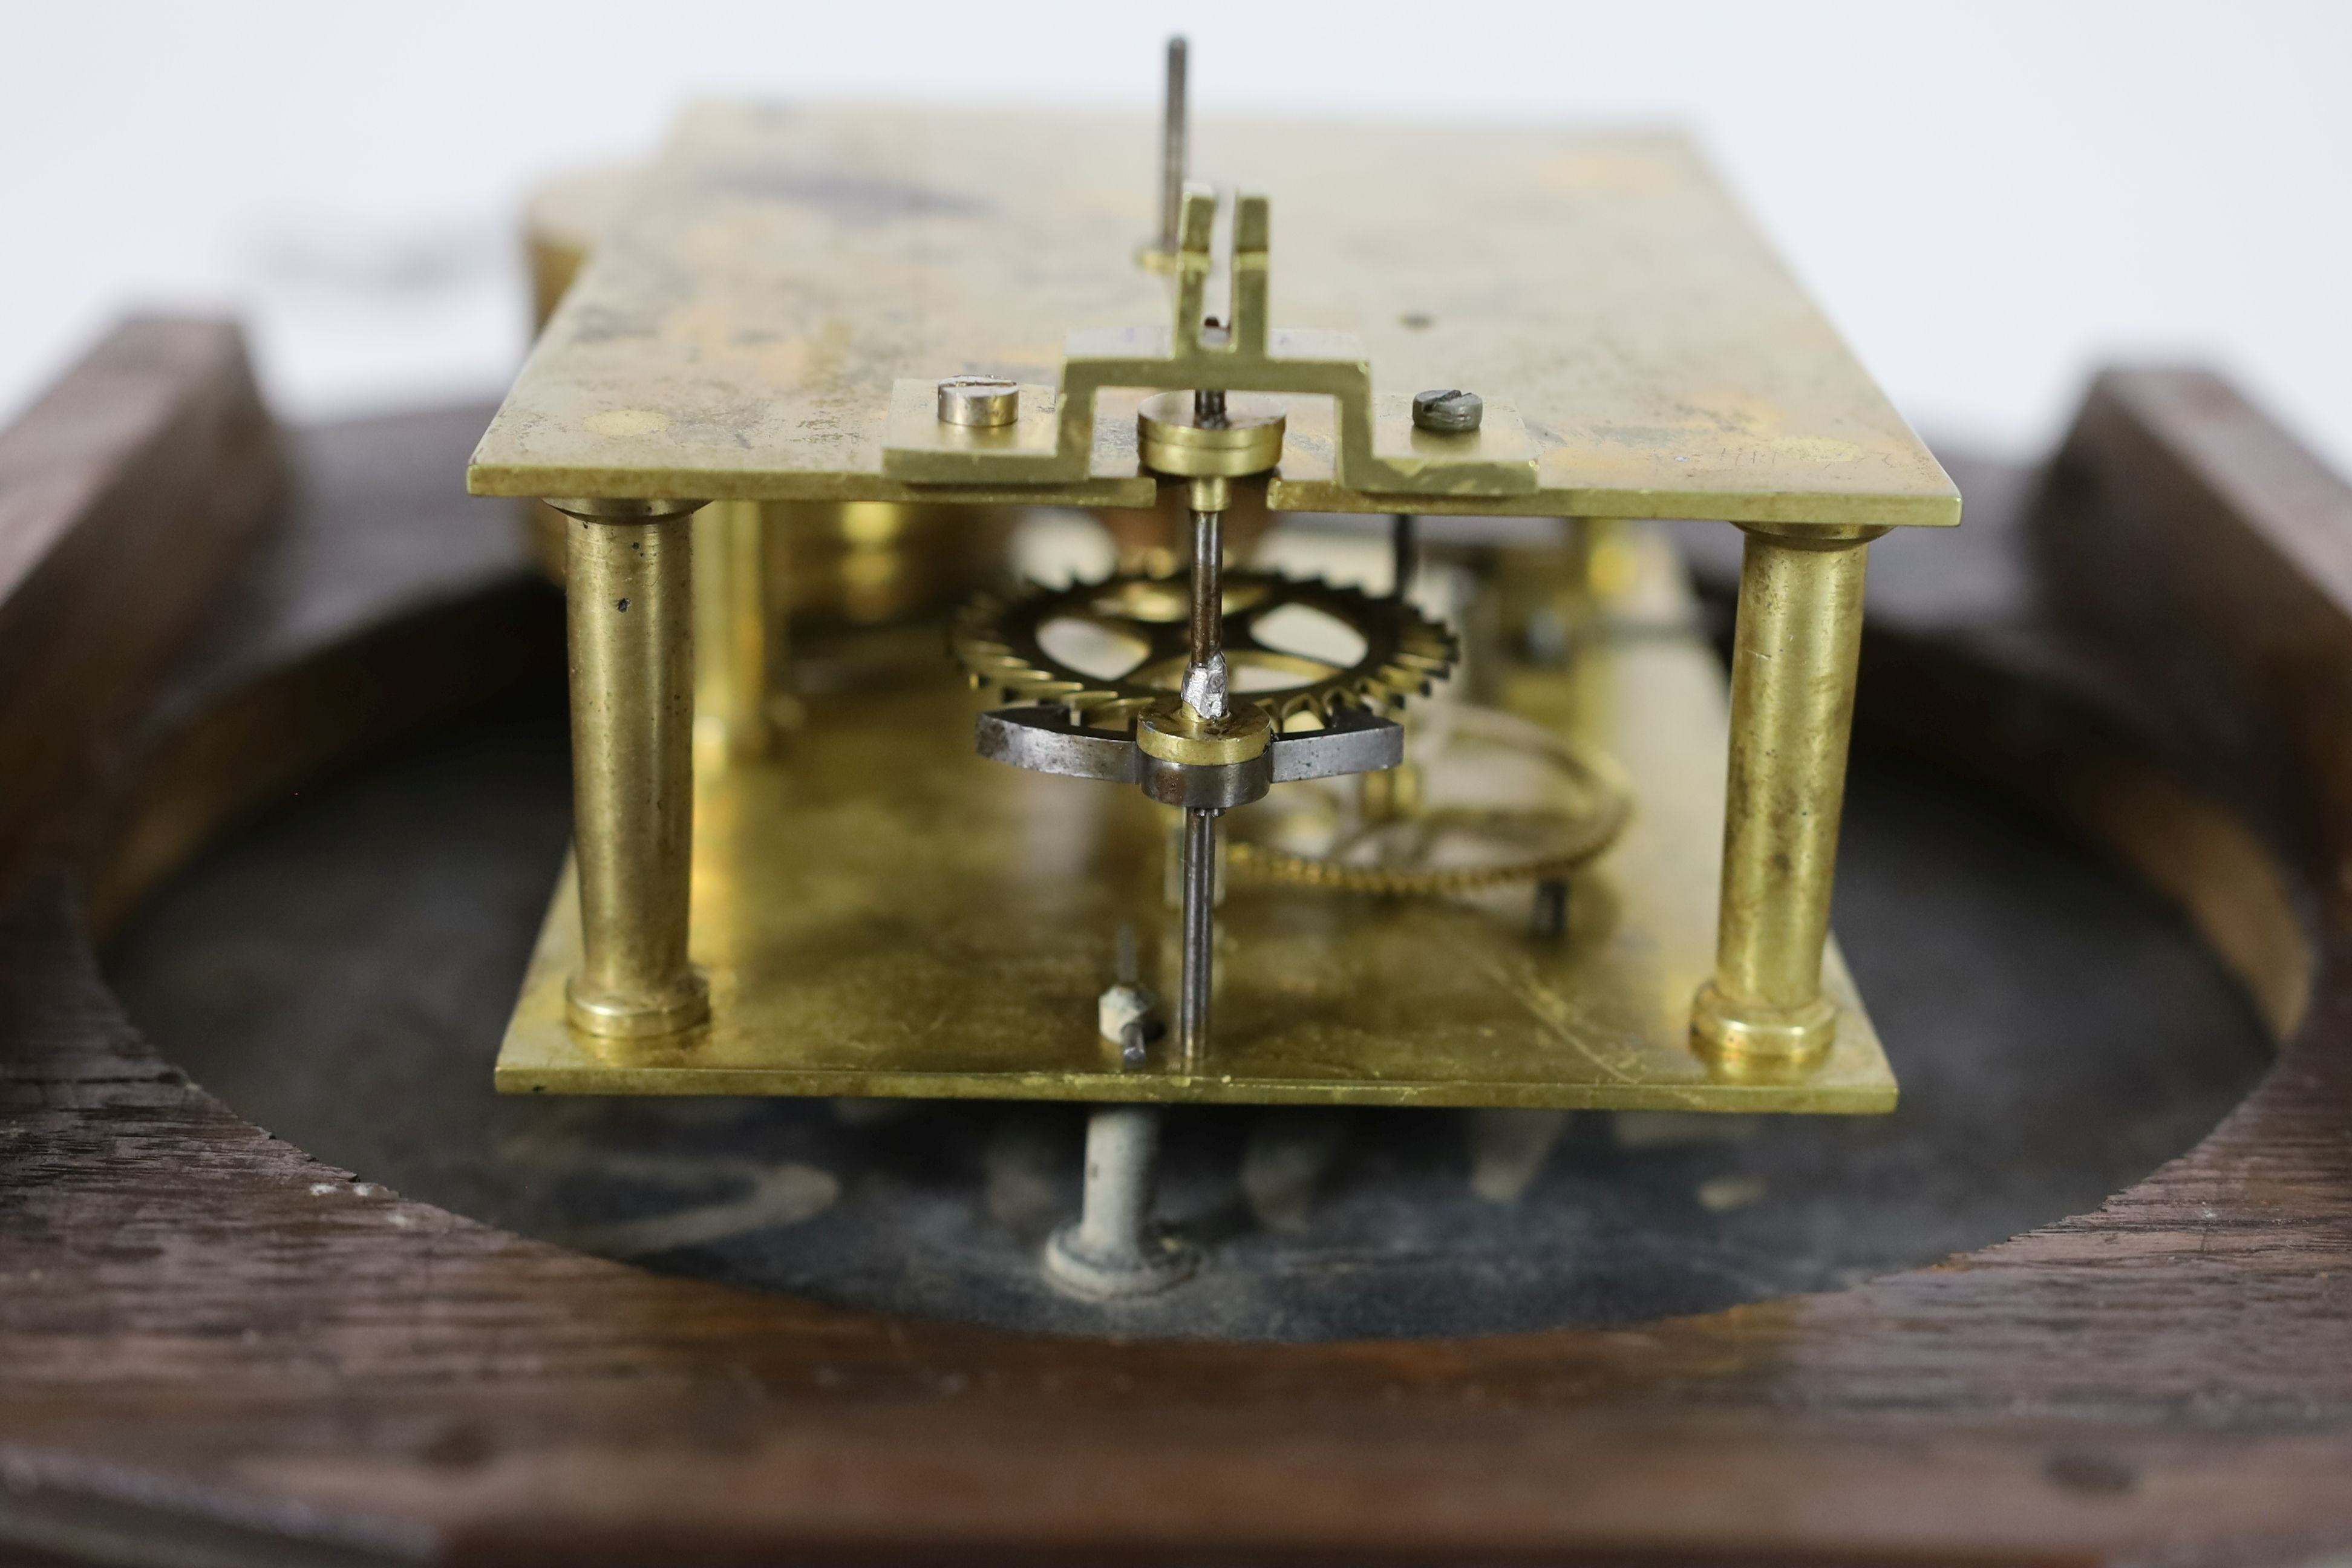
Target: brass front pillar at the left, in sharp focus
(629, 587)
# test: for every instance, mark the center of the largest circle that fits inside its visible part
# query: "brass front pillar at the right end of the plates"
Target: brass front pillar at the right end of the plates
(1793, 657)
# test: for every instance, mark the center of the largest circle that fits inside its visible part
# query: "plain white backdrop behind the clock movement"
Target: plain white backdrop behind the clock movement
(1991, 199)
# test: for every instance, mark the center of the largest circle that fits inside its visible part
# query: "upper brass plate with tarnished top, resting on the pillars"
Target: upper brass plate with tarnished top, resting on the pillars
(740, 330)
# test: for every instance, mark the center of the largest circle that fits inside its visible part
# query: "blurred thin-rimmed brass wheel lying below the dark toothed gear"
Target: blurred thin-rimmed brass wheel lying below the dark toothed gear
(1504, 800)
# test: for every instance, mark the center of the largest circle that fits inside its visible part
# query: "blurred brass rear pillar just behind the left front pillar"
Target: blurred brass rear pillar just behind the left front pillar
(735, 634)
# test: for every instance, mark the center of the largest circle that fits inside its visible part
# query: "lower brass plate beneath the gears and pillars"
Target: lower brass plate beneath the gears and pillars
(890, 916)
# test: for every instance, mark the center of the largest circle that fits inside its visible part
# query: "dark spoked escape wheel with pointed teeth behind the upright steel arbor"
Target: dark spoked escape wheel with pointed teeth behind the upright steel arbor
(998, 638)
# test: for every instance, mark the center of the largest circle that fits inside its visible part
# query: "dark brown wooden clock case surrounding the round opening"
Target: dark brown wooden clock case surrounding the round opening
(215, 1348)
